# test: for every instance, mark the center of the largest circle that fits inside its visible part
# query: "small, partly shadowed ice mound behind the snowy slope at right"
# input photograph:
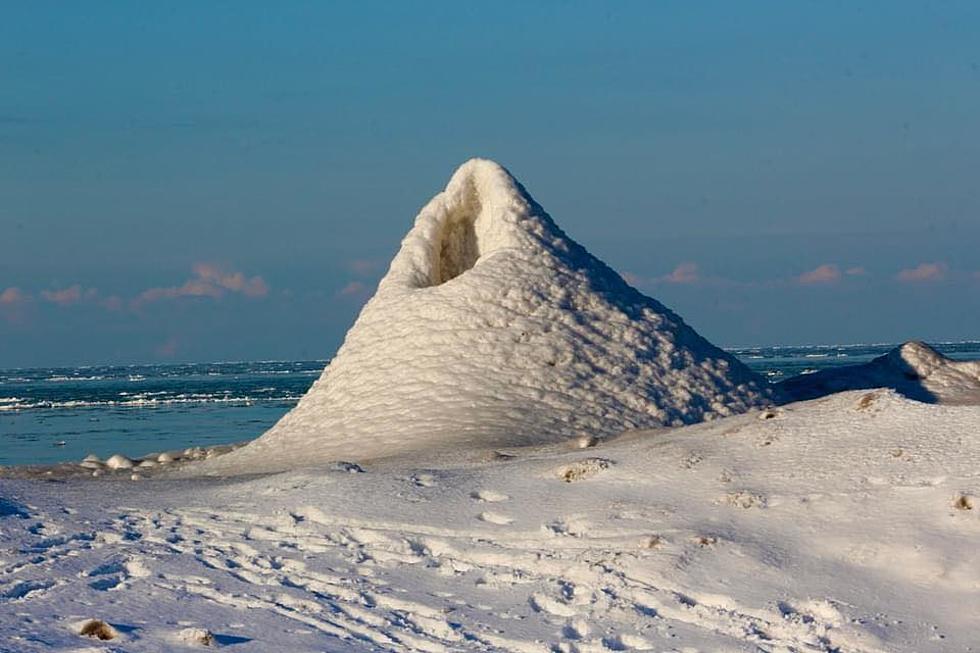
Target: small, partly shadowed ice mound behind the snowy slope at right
(914, 369)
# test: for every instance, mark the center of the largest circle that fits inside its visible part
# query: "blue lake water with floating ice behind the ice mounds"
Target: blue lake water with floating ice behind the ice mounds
(55, 414)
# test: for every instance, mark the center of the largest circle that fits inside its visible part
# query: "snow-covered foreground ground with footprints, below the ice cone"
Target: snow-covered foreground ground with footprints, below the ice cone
(849, 523)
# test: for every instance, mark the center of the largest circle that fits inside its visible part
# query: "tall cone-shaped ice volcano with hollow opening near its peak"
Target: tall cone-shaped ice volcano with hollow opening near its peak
(493, 328)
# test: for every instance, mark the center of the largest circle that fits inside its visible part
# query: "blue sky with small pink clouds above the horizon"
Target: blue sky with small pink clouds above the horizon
(214, 181)
